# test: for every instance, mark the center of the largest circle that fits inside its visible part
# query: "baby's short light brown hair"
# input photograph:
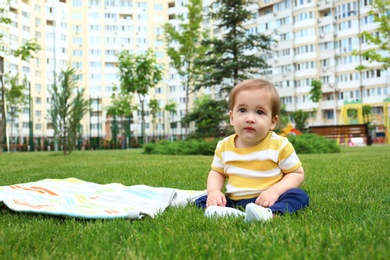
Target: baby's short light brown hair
(257, 84)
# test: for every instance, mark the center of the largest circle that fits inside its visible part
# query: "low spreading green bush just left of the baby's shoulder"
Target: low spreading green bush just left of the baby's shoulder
(188, 147)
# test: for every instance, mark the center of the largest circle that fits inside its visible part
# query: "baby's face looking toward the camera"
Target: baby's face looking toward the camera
(252, 117)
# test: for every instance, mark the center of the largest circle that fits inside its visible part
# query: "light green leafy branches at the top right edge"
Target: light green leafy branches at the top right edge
(381, 40)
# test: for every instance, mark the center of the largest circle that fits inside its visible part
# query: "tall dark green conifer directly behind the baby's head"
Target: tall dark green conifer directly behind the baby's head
(234, 56)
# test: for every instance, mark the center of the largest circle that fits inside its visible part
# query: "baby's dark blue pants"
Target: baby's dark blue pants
(290, 201)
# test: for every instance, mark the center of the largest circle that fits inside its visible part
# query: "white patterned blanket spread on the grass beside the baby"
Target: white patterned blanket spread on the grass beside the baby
(81, 199)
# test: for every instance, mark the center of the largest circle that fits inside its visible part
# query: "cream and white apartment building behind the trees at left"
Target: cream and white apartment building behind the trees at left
(86, 35)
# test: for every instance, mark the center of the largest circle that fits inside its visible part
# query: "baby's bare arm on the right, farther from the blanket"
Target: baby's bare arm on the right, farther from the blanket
(291, 180)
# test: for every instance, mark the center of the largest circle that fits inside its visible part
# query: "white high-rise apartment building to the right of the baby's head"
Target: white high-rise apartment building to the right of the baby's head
(315, 41)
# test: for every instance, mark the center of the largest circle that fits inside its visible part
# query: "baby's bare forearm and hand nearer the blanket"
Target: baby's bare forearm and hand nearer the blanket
(215, 181)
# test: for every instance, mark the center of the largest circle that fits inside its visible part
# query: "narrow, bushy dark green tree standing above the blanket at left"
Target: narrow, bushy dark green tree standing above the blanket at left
(67, 108)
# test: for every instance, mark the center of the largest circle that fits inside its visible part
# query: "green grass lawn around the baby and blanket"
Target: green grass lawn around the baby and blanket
(348, 217)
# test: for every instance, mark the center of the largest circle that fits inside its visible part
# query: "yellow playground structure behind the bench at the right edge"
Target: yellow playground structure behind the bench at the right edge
(352, 113)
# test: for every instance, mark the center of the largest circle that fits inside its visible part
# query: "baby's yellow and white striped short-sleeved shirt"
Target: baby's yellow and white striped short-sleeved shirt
(252, 170)
